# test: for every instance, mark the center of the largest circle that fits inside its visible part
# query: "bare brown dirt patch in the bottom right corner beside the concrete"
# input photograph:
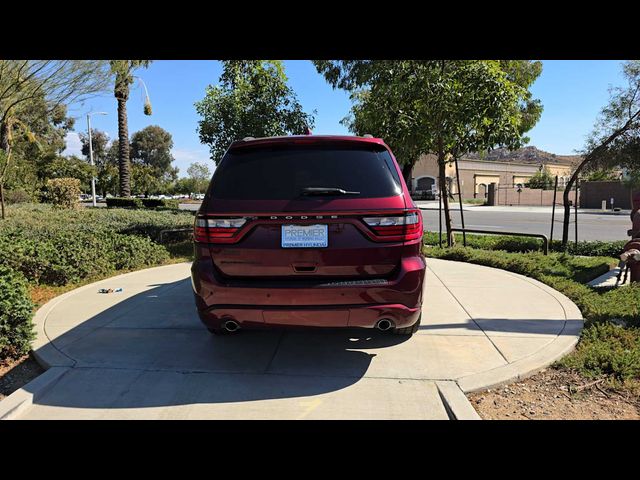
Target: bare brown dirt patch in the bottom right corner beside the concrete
(556, 395)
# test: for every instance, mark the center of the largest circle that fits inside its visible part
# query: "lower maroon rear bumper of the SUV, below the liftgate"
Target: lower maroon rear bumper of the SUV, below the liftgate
(338, 304)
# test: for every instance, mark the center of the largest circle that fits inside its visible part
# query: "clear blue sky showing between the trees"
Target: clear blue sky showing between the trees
(572, 93)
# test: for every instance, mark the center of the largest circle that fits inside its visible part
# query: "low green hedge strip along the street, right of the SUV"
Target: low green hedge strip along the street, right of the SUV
(524, 244)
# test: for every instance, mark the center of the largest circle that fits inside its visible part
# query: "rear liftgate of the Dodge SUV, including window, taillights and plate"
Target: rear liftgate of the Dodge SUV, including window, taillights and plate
(290, 210)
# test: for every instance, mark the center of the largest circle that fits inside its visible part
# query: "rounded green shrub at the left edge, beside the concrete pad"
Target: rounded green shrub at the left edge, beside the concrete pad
(16, 312)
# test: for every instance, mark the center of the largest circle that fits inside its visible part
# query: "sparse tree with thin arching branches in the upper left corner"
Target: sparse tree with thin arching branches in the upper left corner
(56, 82)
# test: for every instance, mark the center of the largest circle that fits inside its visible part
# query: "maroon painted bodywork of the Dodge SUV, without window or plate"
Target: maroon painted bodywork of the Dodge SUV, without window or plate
(361, 277)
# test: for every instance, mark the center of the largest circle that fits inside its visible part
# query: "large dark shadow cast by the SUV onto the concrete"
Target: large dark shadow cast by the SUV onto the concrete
(150, 350)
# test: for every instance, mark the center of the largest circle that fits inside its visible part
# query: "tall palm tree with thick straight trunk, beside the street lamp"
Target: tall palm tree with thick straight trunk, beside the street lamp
(123, 72)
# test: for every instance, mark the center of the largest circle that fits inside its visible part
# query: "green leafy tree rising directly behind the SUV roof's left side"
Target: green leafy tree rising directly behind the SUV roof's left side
(251, 100)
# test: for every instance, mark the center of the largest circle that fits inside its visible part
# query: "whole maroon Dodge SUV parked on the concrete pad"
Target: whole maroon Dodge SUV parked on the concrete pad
(308, 231)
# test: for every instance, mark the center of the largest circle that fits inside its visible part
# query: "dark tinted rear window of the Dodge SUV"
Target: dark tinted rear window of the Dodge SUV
(282, 172)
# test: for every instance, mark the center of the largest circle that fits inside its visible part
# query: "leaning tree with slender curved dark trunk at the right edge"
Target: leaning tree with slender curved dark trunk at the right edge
(615, 136)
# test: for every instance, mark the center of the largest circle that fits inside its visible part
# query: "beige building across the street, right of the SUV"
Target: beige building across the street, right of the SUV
(506, 169)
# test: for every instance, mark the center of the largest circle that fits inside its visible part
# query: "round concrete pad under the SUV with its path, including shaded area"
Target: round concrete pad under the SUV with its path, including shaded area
(143, 353)
